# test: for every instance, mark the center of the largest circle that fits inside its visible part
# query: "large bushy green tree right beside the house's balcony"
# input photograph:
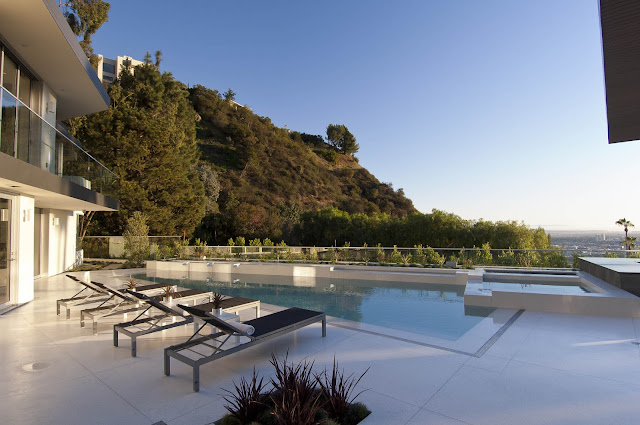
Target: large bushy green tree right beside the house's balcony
(147, 137)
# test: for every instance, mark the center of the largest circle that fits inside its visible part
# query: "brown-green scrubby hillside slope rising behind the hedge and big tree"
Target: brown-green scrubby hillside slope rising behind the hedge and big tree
(268, 175)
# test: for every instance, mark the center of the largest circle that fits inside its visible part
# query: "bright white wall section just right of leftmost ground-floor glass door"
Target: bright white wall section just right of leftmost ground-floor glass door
(24, 248)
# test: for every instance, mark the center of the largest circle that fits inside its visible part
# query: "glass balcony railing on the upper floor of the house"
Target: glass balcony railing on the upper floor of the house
(27, 136)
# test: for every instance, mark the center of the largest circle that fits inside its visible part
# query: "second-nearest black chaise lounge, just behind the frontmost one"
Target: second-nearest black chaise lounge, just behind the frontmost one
(149, 324)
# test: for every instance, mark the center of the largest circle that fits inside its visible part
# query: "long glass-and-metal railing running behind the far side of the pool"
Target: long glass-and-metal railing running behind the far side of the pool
(172, 247)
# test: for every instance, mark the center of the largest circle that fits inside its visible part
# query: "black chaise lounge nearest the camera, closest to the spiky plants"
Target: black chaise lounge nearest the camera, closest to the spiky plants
(194, 351)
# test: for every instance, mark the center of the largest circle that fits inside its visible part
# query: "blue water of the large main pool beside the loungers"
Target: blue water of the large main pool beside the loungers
(426, 309)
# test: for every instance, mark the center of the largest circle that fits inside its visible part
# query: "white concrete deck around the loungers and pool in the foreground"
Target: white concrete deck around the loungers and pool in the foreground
(546, 368)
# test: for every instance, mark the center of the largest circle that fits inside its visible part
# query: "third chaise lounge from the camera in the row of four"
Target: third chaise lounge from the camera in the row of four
(124, 303)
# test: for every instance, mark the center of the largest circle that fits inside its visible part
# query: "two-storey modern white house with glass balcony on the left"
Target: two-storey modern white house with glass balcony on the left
(46, 178)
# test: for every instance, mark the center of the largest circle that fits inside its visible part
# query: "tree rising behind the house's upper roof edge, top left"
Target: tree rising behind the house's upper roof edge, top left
(85, 17)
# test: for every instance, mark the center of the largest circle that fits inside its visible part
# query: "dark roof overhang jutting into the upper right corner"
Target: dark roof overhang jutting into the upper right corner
(620, 24)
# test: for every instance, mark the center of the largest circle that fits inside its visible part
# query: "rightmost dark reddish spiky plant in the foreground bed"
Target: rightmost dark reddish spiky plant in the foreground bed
(338, 390)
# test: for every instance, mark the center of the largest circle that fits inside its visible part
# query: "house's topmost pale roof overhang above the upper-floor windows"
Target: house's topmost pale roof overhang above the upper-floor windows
(37, 32)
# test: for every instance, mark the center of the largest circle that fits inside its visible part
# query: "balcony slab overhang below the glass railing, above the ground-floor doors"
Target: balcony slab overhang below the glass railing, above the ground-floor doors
(50, 190)
